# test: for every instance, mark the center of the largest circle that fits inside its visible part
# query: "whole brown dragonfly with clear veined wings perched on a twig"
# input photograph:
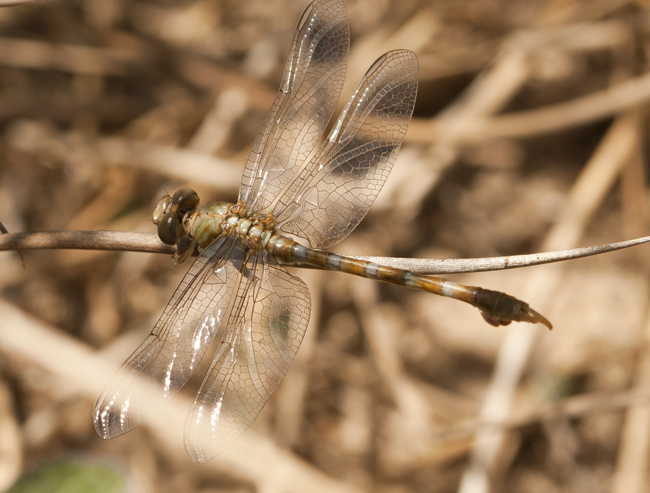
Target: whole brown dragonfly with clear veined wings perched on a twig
(238, 288)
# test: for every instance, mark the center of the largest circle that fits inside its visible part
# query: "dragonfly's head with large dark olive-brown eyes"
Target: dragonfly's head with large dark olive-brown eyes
(170, 213)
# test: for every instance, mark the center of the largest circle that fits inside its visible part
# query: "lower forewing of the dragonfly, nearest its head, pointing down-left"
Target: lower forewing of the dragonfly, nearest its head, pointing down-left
(165, 361)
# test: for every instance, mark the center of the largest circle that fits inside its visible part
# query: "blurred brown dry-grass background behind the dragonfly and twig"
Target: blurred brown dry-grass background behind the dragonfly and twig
(528, 136)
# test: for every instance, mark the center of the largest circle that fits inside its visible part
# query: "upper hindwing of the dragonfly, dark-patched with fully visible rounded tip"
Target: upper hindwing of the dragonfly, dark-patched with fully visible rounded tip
(331, 196)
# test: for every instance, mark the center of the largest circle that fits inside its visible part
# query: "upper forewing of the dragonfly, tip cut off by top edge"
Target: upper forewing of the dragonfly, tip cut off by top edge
(308, 95)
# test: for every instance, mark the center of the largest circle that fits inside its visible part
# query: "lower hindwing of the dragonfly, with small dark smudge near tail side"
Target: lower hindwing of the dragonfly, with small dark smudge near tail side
(263, 335)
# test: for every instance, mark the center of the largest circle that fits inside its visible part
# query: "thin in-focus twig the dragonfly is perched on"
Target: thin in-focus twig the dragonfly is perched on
(149, 242)
